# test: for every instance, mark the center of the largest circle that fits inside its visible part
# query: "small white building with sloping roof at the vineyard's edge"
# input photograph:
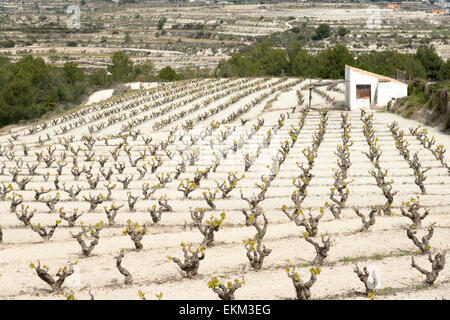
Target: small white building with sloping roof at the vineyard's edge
(365, 89)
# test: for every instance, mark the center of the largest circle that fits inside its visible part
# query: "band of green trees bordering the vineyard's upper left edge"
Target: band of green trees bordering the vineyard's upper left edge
(31, 88)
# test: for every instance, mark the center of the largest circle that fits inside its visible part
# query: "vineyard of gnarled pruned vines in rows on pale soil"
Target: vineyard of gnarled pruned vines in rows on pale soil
(224, 189)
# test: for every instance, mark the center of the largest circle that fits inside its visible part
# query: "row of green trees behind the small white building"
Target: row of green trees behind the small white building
(263, 59)
